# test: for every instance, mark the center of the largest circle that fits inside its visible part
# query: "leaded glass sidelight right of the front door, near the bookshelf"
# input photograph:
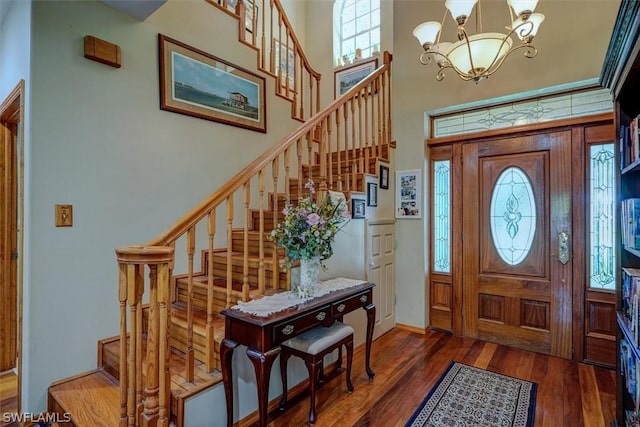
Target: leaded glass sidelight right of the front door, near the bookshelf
(602, 217)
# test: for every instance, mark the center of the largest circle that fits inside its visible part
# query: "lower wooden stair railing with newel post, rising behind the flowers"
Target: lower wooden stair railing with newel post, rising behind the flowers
(230, 231)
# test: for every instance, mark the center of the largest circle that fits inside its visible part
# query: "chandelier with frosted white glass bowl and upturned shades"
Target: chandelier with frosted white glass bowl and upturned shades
(477, 56)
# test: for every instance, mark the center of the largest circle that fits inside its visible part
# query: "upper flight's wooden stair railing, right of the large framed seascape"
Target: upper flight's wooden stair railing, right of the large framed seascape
(264, 26)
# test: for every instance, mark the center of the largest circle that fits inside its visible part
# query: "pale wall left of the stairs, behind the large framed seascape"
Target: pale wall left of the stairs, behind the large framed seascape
(101, 143)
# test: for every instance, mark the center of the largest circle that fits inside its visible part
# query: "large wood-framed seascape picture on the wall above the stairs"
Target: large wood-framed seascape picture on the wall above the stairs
(198, 84)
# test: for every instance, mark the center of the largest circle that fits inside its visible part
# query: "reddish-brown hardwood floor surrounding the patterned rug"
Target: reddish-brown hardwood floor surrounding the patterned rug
(407, 365)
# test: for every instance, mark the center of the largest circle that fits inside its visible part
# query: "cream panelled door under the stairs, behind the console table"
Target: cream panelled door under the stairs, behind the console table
(380, 270)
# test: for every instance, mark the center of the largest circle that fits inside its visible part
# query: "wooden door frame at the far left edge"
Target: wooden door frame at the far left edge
(12, 129)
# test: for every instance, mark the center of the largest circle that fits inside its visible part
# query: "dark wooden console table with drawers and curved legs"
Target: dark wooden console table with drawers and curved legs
(263, 335)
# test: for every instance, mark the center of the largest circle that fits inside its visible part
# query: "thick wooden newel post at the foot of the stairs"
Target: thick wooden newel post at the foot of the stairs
(144, 404)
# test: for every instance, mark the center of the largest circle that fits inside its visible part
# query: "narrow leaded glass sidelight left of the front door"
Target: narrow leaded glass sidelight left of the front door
(442, 216)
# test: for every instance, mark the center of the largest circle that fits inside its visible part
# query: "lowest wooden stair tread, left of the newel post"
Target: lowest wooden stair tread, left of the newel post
(92, 399)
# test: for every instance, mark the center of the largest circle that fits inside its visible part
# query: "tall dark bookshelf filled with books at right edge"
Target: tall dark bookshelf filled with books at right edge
(621, 74)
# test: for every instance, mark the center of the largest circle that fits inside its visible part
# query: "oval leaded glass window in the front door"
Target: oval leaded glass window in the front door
(513, 215)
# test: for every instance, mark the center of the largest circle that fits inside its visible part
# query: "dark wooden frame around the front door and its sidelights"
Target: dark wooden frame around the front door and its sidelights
(580, 297)
